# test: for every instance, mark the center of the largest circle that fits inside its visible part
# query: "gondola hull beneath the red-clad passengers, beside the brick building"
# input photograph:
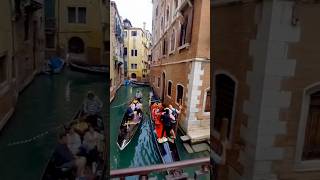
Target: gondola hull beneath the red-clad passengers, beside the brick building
(167, 150)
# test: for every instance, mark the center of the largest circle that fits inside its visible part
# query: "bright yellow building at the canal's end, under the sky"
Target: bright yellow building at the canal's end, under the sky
(136, 48)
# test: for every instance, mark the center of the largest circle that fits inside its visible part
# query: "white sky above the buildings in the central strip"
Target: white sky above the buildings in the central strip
(137, 11)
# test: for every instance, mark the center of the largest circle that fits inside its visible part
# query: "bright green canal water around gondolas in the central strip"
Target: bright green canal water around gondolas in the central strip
(141, 151)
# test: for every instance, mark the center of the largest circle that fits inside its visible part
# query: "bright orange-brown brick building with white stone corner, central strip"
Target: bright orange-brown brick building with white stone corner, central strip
(180, 67)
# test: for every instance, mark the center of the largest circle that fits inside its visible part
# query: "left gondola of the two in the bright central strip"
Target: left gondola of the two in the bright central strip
(128, 128)
